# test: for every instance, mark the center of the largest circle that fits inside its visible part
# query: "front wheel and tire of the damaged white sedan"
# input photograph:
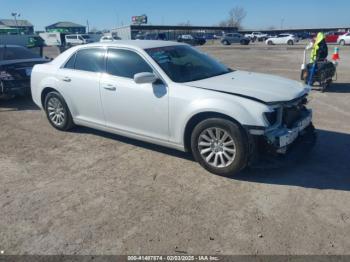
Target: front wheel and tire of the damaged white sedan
(212, 154)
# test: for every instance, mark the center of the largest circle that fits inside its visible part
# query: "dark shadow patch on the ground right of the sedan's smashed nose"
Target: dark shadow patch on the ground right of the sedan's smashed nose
(326, 166)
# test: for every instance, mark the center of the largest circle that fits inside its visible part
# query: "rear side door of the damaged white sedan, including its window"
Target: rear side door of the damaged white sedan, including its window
(80, 84)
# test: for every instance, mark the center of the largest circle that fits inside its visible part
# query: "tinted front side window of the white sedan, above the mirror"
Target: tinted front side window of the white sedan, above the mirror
(126, 63)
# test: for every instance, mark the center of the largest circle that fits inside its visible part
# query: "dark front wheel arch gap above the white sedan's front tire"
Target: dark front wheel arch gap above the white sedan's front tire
(199, 117)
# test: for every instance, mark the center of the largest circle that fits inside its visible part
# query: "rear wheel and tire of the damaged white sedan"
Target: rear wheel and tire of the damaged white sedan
(57, 112)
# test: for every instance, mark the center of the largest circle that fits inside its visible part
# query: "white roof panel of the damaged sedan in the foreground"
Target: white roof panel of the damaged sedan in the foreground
(139, 44)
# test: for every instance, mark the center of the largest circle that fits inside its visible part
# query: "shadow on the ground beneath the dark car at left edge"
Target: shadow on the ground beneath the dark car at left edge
(17, 104)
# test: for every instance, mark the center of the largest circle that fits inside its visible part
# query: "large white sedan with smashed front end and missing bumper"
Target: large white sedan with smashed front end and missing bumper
(172, 95)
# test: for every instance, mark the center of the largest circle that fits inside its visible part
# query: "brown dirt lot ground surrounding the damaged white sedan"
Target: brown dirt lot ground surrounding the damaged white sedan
(88, 192)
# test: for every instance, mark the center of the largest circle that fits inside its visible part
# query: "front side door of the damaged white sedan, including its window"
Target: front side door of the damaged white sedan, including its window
(141, 109)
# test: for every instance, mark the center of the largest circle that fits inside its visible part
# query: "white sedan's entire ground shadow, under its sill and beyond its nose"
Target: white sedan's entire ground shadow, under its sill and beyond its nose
(325, 166)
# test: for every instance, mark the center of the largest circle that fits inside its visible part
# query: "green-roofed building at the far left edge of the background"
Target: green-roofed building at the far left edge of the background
(12, 26)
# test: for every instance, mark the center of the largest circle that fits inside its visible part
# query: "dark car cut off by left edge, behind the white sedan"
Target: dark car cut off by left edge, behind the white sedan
(16, 63)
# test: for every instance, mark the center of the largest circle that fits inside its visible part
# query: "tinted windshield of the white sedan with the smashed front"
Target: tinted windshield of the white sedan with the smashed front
(185, 64)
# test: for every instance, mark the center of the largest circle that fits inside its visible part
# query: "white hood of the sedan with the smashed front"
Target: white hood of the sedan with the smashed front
(261, 87)
